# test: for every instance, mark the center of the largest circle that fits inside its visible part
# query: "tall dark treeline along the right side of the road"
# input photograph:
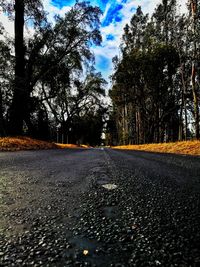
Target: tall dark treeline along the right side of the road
(156, 82)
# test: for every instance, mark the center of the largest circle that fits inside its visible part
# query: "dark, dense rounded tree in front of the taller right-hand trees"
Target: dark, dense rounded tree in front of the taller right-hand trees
(151, 107)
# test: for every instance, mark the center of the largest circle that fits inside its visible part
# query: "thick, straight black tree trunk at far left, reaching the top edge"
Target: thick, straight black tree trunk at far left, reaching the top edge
(19, 103)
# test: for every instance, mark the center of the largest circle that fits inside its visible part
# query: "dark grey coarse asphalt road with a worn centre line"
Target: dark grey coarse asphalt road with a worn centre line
(99, 207)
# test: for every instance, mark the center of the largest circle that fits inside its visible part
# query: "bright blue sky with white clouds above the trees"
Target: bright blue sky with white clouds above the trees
(116, 13)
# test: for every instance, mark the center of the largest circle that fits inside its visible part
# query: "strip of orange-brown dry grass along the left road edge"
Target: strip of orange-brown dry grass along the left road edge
(26, 143)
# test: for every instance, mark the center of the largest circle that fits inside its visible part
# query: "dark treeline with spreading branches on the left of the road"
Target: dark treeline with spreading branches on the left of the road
(48, 86)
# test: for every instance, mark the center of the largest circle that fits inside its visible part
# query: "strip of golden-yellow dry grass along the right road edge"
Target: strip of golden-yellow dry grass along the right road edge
(185, 148)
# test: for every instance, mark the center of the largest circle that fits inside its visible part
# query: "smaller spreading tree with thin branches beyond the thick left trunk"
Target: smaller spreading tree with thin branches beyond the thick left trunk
(72, 99)
